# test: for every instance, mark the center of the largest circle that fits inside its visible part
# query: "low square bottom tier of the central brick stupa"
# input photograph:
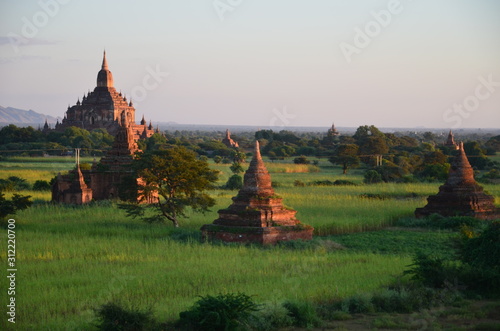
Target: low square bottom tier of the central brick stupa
(261, 235)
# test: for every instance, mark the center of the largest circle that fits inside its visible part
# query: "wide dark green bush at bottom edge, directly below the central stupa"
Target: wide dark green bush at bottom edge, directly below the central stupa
(222, 312)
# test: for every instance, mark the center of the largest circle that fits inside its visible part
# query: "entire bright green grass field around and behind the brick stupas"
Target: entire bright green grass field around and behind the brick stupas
(73, 259)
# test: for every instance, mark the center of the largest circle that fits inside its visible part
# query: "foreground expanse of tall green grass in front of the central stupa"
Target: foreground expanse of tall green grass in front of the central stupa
(73, 259)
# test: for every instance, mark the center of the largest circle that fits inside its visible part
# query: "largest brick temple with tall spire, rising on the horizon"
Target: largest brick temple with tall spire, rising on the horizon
(106, 108)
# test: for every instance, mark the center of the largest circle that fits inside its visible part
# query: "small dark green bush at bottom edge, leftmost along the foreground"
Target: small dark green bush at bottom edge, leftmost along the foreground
(113, 317)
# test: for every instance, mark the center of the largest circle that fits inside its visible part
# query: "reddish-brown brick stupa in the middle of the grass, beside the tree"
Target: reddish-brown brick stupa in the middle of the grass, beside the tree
(257, 214)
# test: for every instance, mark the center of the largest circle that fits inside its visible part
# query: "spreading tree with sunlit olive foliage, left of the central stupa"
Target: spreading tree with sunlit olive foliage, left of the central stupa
(180, 180)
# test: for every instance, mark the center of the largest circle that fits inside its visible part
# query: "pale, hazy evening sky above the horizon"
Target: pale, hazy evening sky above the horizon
(266, 63)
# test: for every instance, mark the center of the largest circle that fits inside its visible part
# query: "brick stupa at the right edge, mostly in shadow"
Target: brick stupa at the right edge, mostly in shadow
(460, 195)
